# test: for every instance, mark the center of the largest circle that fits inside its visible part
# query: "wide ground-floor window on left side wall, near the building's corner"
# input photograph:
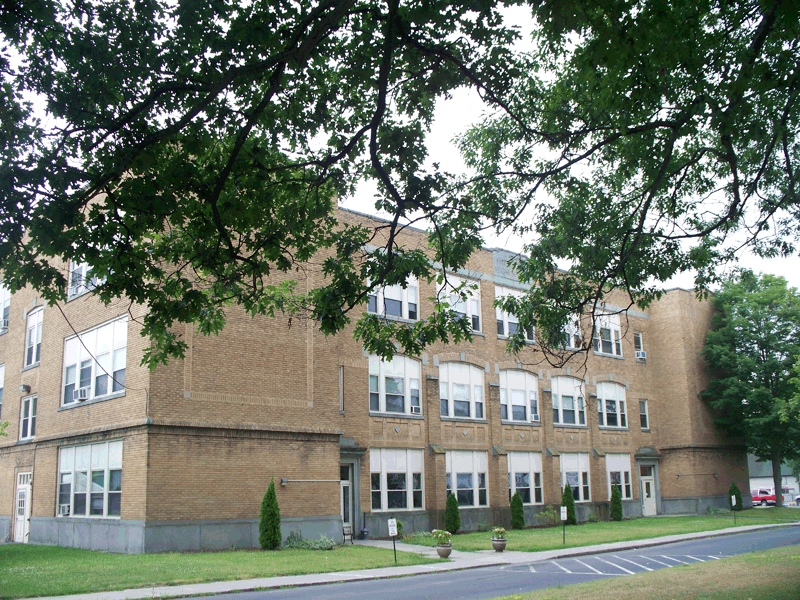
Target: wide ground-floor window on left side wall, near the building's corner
(90, 480)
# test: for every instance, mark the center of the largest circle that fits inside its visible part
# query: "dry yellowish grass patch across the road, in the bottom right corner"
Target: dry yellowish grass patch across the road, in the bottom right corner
(768, 575)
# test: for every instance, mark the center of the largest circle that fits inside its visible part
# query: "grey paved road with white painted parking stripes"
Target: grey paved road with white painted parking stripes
(490, 582)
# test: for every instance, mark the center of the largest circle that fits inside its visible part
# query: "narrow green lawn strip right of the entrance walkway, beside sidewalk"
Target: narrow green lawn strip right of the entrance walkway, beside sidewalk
(588, 534)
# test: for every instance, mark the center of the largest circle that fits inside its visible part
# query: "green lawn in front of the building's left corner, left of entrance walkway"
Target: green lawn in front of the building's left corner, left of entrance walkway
(27, 571)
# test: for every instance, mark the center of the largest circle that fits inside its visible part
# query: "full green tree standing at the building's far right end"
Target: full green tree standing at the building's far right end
(751, 349)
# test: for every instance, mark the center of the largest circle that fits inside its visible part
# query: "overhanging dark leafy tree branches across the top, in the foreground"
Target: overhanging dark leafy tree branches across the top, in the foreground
(189, 153)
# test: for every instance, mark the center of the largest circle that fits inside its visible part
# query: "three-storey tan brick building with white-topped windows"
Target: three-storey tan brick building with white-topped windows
(104, 454)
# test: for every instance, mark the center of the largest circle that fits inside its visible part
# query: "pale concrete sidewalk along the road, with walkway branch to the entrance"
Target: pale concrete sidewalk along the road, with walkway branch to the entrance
(458, 561)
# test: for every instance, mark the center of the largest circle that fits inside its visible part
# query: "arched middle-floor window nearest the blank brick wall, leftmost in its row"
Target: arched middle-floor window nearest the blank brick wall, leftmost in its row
(394, 386)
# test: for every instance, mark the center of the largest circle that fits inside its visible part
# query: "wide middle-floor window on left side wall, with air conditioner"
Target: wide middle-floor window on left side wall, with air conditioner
(94, 362)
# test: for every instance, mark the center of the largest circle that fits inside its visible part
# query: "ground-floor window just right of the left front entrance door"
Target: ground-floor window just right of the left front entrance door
(396, 479)
